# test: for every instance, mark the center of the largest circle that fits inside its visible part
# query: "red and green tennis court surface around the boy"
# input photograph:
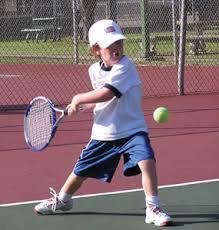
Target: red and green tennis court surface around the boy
(186, 151)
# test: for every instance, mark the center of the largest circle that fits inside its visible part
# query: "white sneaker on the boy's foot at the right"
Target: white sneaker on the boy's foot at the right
(155, 215)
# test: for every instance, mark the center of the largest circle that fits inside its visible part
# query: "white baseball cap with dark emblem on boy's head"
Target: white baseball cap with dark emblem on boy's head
(104, 33)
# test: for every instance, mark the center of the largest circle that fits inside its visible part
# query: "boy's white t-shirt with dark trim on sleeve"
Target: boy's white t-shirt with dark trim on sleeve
(121, 116)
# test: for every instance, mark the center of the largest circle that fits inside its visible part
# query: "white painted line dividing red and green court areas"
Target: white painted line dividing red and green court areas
(117, 192)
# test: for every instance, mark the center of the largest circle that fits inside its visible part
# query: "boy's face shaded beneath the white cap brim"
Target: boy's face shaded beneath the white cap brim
(112, 54)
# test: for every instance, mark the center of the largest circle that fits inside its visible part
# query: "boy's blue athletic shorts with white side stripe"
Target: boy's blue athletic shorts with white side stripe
(99, 159)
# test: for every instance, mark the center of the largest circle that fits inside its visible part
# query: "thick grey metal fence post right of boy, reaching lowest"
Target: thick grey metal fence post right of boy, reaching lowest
(182, 47)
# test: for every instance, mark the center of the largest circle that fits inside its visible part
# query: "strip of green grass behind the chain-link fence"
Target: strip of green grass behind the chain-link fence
(62, 51)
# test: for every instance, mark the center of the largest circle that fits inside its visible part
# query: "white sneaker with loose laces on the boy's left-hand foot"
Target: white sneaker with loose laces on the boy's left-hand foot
(50, 206)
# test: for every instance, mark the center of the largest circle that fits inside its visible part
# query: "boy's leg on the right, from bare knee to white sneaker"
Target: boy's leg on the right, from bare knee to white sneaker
(154, 214)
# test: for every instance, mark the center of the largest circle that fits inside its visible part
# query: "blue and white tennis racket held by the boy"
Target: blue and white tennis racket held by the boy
(41, 122)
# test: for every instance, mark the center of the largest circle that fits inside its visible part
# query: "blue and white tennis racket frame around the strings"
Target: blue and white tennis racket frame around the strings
(55, 121)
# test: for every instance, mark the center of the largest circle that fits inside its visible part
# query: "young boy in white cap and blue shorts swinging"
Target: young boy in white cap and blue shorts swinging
(119, 128)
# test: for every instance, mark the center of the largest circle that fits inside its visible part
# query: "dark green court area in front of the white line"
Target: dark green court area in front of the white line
(192, 207)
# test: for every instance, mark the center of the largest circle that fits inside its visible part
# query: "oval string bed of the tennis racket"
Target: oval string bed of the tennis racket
(40, 122)
